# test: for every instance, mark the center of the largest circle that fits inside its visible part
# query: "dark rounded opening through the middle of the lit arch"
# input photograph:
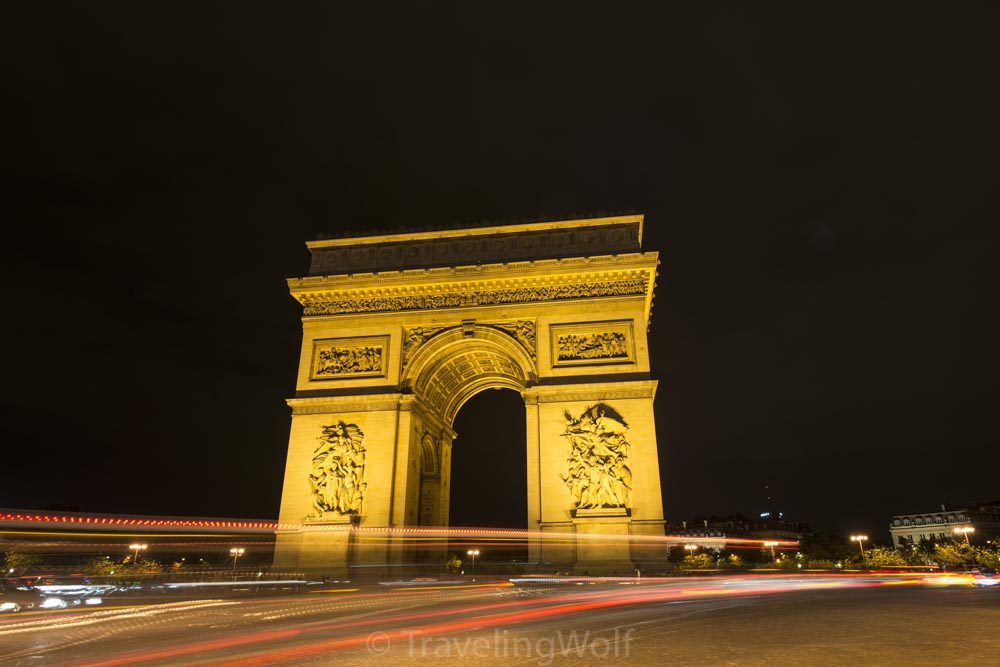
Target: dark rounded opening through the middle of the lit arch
(489, 462)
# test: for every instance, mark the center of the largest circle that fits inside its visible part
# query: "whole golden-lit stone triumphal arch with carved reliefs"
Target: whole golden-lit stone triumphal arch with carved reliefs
(400, 330)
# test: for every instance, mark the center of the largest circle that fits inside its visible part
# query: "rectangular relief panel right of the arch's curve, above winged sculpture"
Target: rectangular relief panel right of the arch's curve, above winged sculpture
(591, 343)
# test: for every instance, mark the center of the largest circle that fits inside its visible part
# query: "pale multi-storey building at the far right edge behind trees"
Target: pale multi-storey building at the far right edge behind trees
(948, 523)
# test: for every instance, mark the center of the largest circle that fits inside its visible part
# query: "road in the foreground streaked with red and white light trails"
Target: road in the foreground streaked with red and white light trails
(724, 621)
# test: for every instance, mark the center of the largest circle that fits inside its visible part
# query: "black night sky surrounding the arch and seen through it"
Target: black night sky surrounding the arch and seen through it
(817, 183)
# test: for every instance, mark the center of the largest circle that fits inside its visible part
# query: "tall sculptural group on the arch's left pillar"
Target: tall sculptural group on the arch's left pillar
(337, 478)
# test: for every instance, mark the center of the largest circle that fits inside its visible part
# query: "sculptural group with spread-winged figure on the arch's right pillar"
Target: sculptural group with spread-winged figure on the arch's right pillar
(598, 475)
